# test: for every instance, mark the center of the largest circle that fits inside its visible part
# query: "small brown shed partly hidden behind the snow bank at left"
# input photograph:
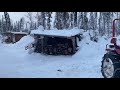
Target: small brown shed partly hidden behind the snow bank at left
(13, 37)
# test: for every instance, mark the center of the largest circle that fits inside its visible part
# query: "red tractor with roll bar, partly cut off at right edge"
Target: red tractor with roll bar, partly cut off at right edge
(110, 67)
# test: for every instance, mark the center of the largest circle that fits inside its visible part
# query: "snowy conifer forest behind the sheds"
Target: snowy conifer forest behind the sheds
(97, 23)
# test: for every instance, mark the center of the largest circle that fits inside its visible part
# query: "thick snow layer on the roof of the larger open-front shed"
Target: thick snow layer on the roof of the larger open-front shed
(63, 33)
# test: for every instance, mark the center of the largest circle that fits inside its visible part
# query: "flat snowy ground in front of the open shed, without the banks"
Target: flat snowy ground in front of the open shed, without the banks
(16, 63)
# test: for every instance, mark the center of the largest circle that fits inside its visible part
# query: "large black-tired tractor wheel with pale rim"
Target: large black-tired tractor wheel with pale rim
(113, 60)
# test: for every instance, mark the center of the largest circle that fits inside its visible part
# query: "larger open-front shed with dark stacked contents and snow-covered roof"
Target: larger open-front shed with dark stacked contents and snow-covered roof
(61, 42)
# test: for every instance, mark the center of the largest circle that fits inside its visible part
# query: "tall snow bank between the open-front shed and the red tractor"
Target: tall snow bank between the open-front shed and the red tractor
(88, 48)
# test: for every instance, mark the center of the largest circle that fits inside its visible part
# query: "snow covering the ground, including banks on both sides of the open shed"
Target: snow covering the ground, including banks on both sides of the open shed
(16, 62)
